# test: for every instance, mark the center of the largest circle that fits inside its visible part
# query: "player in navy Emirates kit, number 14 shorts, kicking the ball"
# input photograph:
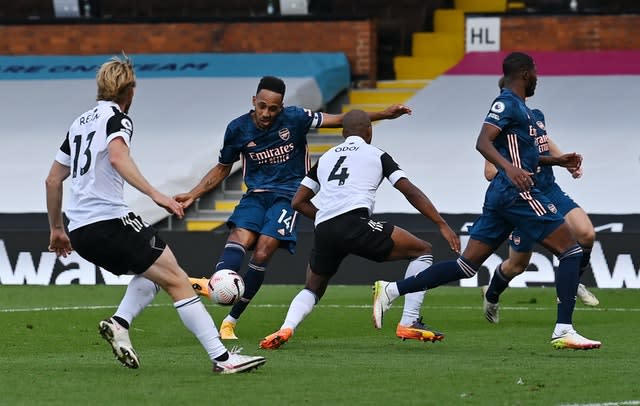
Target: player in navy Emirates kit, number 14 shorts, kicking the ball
(271, 141)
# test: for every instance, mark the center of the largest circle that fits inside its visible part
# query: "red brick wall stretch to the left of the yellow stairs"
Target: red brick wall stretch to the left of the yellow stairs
(357, 39)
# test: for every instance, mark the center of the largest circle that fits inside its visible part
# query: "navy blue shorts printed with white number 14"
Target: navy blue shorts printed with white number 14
(267, 213)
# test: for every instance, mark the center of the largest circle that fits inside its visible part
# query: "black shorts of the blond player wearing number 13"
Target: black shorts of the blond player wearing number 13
(119, 245)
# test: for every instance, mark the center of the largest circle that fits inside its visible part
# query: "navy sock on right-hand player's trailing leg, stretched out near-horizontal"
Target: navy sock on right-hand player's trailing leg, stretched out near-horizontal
(436, 275)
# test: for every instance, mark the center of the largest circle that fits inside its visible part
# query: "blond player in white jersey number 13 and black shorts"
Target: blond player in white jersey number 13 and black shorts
(95, 155)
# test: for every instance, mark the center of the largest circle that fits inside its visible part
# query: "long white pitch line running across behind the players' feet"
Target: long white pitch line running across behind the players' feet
(361, 306)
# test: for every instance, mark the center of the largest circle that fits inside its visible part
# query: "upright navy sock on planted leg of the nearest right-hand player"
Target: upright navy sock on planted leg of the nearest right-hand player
(567, 283)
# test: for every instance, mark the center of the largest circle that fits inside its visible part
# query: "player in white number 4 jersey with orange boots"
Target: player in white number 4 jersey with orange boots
(343, 184)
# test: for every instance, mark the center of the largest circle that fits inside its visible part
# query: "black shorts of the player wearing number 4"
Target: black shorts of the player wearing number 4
(353, 232)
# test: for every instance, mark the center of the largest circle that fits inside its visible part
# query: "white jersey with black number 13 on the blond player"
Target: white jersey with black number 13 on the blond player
(97, 189)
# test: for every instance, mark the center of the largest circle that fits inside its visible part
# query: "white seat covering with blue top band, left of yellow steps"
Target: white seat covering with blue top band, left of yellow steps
(177, 140)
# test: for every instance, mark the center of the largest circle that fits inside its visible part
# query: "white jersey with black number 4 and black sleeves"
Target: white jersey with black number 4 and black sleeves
(347, 176)
